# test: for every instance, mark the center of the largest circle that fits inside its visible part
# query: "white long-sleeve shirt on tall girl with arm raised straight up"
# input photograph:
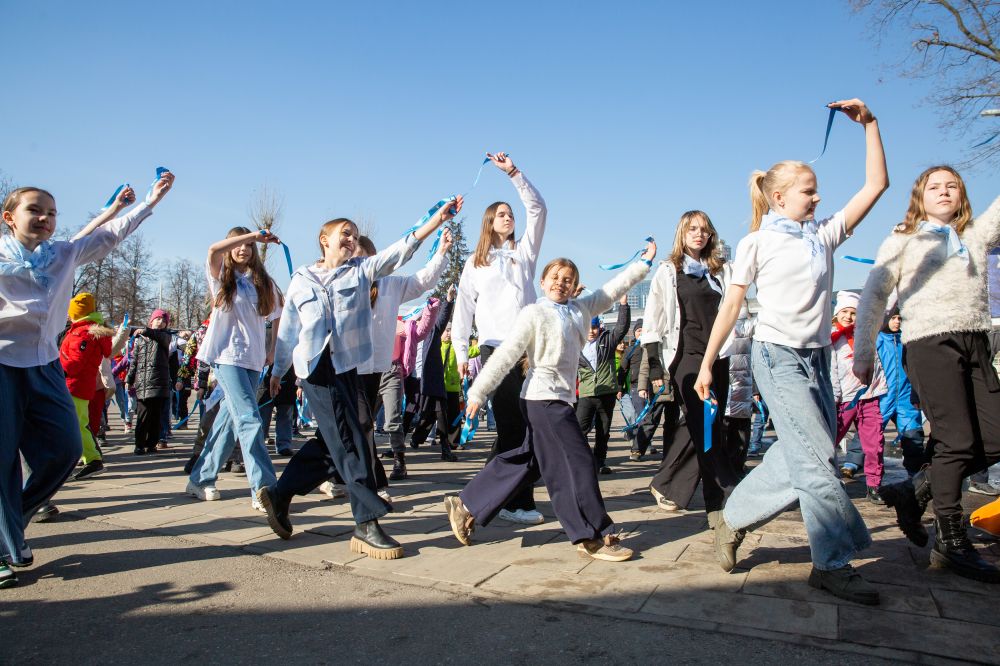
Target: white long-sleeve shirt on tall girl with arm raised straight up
(486, 296)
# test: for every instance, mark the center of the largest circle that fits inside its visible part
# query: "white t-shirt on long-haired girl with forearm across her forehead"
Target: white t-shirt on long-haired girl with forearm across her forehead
(236, 336)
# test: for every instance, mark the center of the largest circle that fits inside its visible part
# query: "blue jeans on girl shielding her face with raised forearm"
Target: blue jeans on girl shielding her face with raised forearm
(238, 418)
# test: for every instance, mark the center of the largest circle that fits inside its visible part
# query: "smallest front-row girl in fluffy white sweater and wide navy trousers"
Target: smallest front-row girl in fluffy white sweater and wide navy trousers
(552, 333)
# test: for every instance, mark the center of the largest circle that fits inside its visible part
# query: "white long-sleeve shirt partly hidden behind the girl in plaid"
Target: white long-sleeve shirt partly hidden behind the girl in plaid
(392, 291)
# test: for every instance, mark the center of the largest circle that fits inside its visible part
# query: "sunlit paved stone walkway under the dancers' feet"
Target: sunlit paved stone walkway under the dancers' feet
(926, 614)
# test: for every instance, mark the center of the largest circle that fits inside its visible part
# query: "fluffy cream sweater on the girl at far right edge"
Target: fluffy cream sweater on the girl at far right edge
(937, 293)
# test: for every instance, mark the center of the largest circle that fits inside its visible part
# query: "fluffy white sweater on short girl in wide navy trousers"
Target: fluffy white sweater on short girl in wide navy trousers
(552, 336)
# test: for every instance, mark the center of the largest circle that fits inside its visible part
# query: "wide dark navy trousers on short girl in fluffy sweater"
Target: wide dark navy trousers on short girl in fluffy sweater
(555, 451)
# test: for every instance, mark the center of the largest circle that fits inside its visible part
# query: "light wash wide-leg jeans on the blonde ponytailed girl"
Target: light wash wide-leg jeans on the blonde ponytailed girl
(798, 467)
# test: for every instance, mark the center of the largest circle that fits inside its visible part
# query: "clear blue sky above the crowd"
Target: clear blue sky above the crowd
(623, 114)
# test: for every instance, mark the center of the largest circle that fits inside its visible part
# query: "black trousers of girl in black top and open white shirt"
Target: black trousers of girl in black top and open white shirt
(685, 460)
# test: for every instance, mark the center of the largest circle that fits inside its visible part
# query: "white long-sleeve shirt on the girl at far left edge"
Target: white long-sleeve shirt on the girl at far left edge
(32, 316)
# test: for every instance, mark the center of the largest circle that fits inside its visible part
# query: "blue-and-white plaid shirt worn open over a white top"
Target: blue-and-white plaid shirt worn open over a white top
(335, 309)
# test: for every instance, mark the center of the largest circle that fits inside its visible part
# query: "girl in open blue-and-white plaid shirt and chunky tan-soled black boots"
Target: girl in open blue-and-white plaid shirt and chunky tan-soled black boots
(326, 334)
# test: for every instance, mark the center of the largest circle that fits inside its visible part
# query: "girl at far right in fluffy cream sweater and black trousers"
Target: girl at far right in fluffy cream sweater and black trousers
(936, 260)
